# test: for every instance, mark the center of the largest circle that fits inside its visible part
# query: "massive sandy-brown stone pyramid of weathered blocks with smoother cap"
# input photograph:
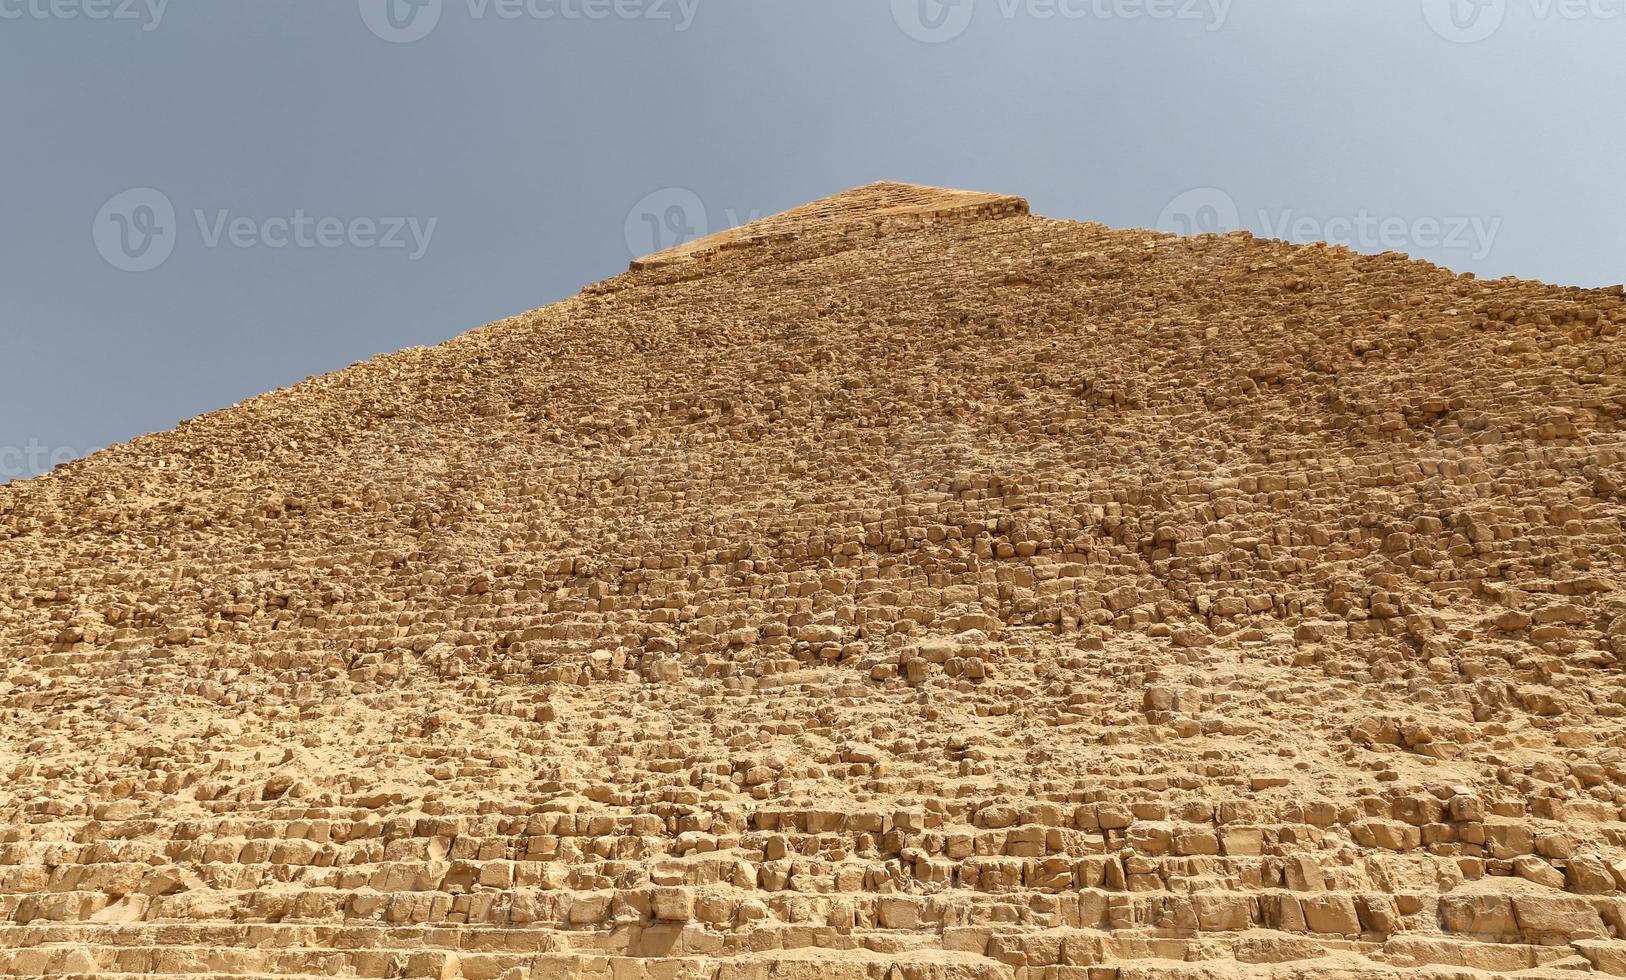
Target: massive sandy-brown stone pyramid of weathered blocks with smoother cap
(902, 588)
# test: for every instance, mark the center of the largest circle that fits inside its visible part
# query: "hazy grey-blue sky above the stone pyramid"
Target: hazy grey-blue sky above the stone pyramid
(206, 201)
